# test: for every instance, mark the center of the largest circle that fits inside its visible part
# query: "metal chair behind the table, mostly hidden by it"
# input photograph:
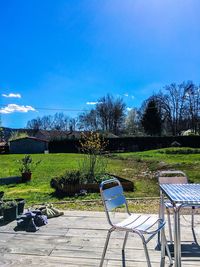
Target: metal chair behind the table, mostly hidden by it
(173, 177)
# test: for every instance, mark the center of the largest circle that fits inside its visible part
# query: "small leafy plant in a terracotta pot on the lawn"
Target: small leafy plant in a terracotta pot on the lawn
(26, 168)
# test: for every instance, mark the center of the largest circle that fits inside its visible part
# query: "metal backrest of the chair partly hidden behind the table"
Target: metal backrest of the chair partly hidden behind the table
(172, 177)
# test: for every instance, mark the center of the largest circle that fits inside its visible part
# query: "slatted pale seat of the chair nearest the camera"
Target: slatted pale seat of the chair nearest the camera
(144, 223)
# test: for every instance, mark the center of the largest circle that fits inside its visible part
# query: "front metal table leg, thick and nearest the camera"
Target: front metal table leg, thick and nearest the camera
(177, 241)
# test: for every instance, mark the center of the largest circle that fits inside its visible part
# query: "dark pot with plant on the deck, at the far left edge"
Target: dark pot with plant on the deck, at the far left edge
(9, 210)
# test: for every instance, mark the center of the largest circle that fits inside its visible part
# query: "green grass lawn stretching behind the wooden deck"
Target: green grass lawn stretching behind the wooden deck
(139, 167)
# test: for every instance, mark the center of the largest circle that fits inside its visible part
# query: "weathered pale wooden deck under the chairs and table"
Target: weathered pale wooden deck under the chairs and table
(77, 239)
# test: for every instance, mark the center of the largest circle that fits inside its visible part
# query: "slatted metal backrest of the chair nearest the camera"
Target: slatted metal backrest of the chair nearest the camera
(112, 195)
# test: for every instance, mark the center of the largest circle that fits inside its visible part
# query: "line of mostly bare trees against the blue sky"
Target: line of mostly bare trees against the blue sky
(171, 111)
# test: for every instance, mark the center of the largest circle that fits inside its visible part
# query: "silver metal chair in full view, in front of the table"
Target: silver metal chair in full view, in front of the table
(145, 226)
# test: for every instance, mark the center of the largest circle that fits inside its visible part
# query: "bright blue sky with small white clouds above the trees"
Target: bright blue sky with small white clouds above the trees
(67, 54)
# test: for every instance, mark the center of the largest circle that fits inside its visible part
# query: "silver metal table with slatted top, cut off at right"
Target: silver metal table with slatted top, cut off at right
(180, 195)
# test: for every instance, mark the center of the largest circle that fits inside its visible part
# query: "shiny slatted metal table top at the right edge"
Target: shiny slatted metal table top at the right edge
(182, 193)
